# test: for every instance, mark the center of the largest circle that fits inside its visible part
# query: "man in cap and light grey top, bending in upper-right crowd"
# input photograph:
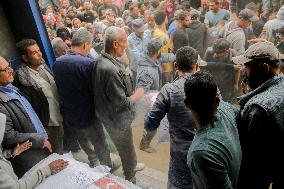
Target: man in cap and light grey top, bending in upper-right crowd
(234, 30)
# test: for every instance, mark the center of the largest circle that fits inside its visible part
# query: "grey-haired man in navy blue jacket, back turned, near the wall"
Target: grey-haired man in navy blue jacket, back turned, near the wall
(73, 78)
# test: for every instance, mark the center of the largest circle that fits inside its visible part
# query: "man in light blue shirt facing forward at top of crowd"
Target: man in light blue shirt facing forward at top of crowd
(216, 14)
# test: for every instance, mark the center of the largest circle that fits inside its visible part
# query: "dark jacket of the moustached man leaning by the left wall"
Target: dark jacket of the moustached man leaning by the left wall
(33, 93)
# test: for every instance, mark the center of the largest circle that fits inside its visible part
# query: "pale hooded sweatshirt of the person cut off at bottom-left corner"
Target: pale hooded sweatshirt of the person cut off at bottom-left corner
(8, 178)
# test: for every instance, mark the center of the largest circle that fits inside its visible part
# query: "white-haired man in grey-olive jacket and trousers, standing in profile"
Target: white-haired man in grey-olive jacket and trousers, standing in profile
(114, 98)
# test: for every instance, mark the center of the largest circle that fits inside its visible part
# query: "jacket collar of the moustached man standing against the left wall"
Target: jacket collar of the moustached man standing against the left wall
(24, 77)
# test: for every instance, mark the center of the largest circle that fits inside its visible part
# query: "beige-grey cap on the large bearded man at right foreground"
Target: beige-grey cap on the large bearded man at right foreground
(257, 51)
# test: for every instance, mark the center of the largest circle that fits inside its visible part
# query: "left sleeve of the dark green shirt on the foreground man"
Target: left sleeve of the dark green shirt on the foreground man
(209, 167)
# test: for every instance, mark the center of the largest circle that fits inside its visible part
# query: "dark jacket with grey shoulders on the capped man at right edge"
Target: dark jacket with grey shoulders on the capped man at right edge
(261, 129)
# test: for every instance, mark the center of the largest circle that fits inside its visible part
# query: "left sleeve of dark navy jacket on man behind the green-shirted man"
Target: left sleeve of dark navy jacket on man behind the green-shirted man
(158, 111)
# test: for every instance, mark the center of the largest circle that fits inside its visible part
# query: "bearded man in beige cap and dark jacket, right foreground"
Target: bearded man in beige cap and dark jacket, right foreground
(261, 118)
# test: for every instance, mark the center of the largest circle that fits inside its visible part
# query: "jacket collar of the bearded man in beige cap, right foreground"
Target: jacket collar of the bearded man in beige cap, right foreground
(273, 81)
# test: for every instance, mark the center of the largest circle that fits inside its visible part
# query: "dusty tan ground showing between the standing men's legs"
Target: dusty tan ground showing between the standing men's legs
(154, 176)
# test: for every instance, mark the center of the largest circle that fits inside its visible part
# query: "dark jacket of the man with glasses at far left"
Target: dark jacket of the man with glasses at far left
(19, 128)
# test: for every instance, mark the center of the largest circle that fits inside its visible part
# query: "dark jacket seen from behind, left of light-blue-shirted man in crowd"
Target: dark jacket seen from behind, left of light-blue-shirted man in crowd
(197, 36)
